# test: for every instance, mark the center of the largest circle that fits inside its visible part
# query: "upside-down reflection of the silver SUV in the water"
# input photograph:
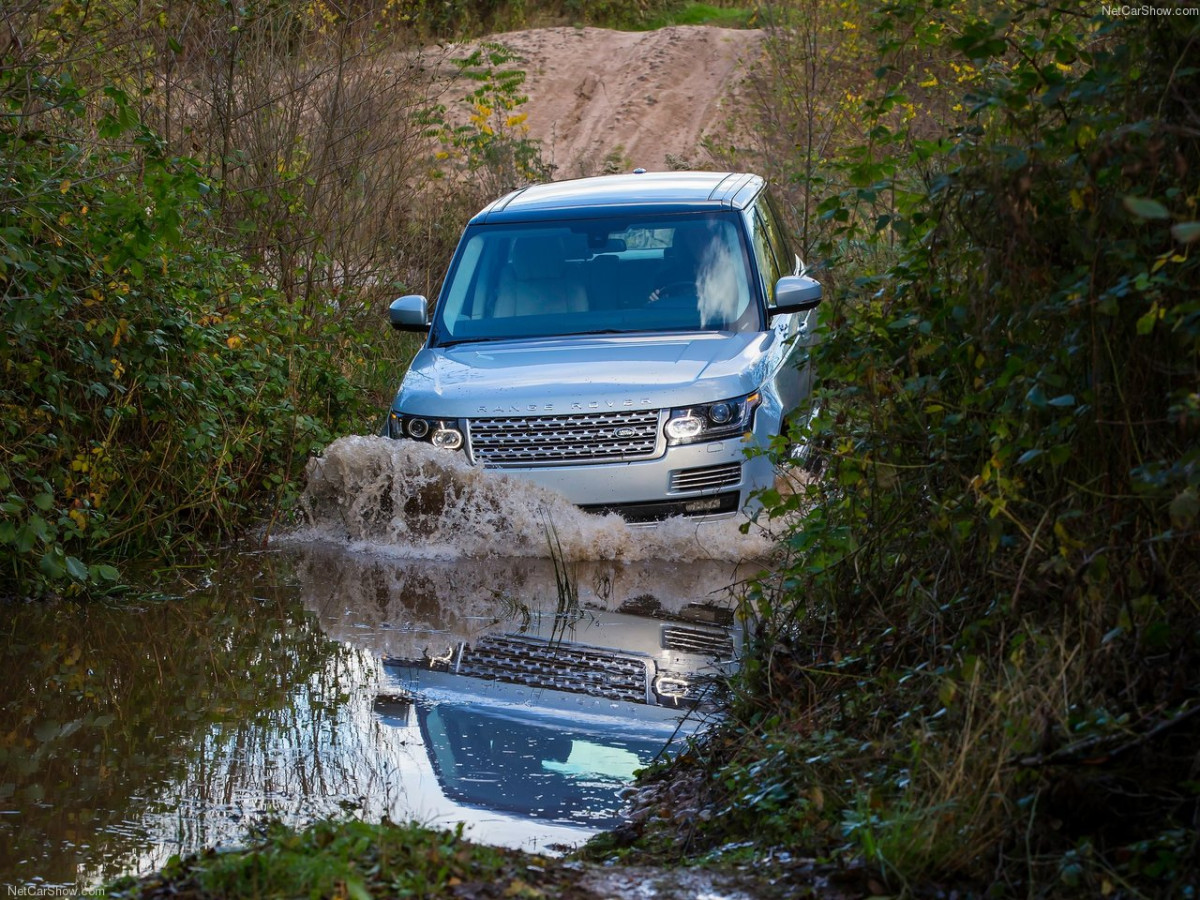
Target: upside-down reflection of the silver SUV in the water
(553, 723)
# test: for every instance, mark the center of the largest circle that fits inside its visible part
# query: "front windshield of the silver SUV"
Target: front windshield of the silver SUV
(598, 277)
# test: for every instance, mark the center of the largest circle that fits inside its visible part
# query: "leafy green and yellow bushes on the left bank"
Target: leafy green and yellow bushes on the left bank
(154, 391)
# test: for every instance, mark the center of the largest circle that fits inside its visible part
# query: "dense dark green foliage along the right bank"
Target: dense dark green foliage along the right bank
(986, 641)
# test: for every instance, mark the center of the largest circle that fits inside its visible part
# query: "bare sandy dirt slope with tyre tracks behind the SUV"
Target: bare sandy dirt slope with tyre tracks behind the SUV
(637, 99)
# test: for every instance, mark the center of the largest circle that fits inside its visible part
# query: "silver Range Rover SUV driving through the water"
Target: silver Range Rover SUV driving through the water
(621, 340)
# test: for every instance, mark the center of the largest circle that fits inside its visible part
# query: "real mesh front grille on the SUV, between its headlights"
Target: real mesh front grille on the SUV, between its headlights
(587, 437)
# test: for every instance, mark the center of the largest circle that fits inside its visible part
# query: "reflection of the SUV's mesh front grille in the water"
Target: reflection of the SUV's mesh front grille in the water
(563, 668)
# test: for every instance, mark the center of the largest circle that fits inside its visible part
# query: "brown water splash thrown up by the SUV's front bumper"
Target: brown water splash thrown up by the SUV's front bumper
(409, 500)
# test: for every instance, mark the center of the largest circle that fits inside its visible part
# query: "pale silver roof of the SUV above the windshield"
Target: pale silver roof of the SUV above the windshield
(614, 195)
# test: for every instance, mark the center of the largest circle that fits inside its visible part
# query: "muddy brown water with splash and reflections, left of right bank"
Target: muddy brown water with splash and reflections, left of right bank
(428, 644)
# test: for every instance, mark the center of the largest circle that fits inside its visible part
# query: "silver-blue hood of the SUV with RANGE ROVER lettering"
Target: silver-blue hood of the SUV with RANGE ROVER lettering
(583, 374)
